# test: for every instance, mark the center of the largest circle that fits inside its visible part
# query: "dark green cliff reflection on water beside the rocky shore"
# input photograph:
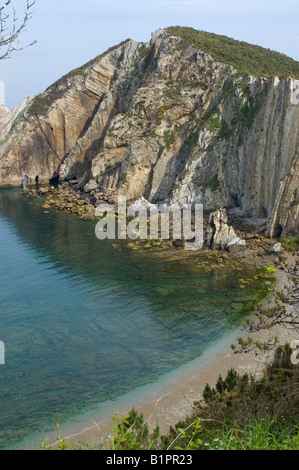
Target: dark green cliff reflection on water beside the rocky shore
(71, 245)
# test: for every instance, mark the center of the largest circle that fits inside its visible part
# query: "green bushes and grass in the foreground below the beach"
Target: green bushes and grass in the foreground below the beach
(239, 413)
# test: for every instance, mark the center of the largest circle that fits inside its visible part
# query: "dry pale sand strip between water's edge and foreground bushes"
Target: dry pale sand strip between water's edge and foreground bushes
(175, 404)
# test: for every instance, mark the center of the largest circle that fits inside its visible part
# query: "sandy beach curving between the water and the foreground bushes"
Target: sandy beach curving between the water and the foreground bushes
(176, 402)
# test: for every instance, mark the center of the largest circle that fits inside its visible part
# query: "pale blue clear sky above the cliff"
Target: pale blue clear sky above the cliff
(71, 32)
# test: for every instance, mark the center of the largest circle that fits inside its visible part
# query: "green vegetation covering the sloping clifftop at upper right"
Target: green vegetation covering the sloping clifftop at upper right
(247, 58)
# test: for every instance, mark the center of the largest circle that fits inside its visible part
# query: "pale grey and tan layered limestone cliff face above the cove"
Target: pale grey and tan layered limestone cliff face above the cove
(165, 122)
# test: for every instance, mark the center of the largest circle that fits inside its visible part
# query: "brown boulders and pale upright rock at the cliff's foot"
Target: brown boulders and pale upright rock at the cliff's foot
(250, 247)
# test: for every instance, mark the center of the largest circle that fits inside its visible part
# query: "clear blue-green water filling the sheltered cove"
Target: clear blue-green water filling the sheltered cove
(83, 323)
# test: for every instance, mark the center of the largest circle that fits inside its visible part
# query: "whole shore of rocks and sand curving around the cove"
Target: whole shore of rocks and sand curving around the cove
(274, 323)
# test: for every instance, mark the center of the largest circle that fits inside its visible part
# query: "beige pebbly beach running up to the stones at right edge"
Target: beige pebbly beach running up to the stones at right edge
(175, 404)
